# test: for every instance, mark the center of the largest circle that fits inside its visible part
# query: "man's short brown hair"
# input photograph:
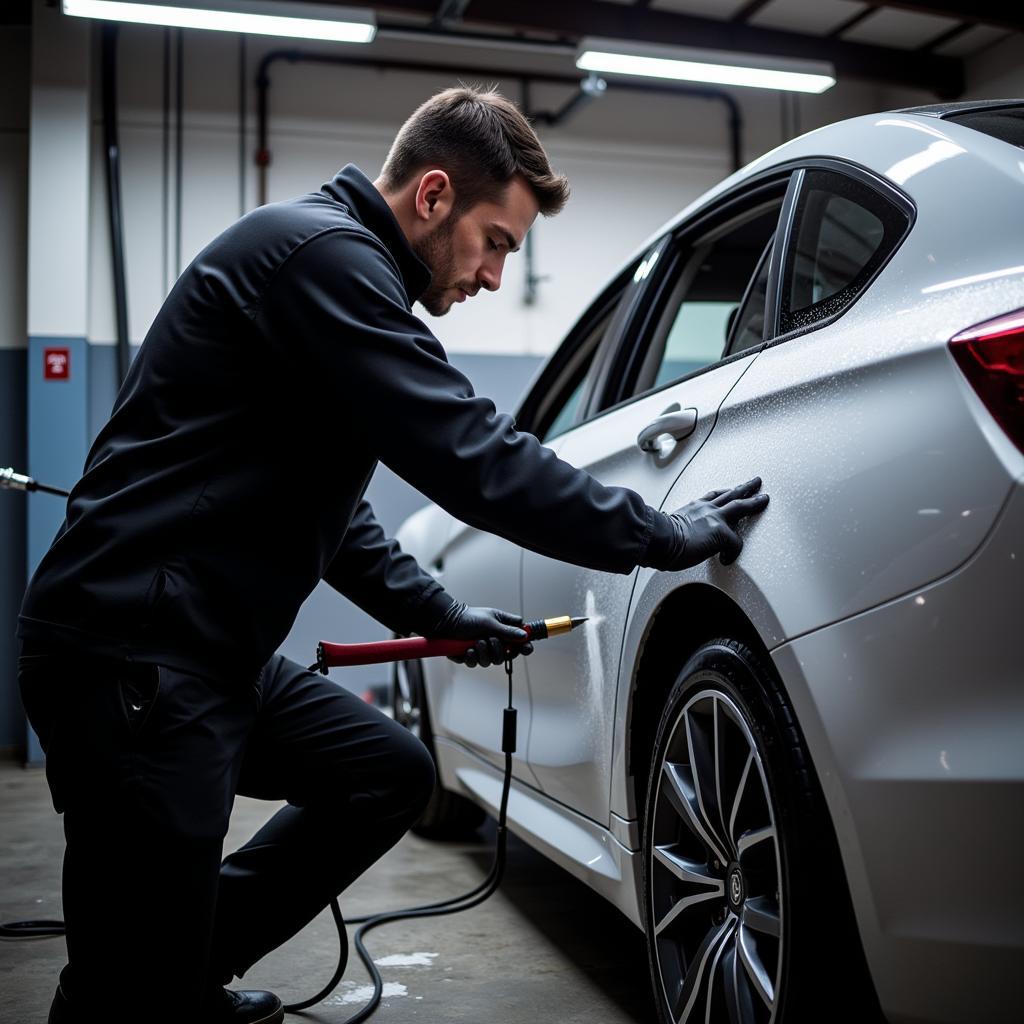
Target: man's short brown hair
(482, 141)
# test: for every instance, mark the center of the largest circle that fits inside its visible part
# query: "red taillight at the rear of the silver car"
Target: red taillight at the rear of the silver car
(992, 357)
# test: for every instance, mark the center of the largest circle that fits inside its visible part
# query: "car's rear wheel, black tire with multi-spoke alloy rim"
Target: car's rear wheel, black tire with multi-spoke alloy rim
(746, 908)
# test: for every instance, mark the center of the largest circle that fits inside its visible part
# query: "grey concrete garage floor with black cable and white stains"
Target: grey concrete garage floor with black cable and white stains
(543, 950)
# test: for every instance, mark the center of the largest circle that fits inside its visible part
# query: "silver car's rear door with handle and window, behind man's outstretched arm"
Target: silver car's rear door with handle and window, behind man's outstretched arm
(696, 327)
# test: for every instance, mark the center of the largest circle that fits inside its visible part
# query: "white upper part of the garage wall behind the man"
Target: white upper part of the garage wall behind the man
(633, 161)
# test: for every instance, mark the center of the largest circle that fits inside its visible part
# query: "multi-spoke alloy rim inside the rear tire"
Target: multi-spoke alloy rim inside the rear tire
(715, 872)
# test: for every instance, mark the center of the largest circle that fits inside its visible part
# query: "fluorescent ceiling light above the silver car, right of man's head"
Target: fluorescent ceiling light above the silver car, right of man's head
(610, 57)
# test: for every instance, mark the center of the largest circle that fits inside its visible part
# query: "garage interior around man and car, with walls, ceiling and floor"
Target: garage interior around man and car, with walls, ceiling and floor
(206, 126)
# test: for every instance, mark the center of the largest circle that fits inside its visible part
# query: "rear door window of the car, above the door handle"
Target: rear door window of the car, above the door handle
(711, 282)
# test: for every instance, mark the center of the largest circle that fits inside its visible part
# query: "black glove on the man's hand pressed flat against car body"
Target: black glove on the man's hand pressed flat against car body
(708, 527)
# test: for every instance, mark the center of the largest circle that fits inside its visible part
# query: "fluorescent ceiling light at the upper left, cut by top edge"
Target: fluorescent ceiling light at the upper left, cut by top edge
(295, 21)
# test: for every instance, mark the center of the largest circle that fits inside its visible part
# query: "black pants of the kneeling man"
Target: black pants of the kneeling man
(145, 763)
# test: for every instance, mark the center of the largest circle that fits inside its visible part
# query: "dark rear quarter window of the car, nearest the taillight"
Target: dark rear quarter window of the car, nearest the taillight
(843, 232)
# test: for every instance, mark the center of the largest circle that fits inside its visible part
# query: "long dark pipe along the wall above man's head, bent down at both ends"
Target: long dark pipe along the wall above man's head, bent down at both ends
(297, 57)
